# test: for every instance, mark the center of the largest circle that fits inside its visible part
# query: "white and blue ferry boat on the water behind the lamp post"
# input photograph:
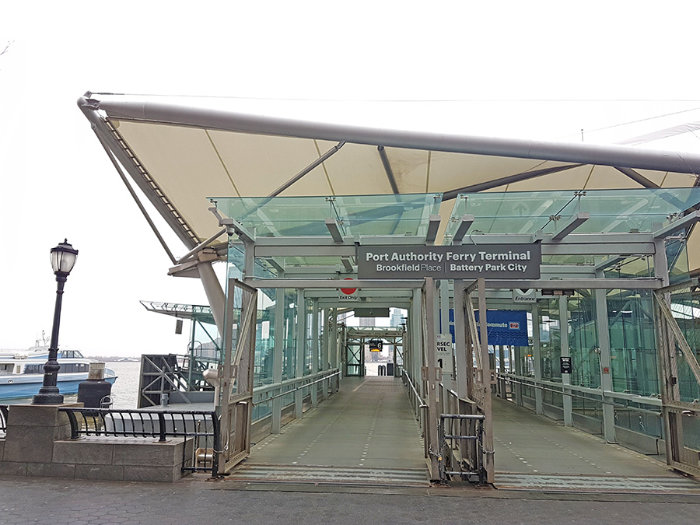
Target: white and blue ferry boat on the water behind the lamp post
(22, 373)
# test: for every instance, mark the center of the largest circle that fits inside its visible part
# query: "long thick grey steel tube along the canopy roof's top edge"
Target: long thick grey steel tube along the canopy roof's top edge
(157, 110)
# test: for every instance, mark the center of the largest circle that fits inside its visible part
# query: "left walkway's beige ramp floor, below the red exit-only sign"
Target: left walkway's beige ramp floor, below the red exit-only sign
(366, 433)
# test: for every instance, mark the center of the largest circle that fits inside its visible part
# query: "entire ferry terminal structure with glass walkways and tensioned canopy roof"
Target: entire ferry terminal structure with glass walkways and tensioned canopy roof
(539, 282)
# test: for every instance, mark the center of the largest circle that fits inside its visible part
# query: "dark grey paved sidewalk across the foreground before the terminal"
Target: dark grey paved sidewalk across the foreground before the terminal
(57, 502)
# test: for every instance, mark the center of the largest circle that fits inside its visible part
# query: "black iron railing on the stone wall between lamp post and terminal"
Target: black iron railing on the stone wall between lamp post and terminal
(202, 427)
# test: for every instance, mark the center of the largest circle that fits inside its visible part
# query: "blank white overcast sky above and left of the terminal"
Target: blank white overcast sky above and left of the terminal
(519, 69)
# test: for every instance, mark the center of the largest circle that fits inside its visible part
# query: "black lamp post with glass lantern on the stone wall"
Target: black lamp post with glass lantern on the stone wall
(63, 259)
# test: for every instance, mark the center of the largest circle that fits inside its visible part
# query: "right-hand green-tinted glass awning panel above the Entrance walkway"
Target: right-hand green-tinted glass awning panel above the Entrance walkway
(637, 210)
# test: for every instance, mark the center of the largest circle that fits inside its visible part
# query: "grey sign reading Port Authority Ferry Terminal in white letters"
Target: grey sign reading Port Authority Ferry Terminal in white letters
(467, 261)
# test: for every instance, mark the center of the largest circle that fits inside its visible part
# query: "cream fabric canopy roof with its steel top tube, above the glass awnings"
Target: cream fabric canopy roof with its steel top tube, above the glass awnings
(180, 154)
